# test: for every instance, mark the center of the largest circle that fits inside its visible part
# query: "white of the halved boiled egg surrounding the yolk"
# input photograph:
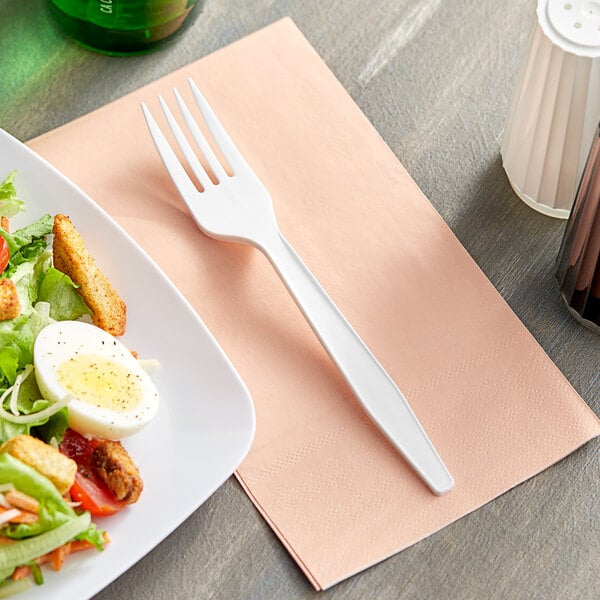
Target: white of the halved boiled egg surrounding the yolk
(63, 341)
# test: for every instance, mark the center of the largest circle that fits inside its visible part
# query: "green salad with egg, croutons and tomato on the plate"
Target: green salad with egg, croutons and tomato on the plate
(69, 392)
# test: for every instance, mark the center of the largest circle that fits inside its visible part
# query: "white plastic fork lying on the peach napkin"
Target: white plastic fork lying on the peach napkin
(238, 208)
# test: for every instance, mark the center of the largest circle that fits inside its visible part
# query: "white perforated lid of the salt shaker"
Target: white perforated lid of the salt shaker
(573, 25)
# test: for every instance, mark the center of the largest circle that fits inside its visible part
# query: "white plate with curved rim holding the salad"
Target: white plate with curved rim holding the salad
(205, 423)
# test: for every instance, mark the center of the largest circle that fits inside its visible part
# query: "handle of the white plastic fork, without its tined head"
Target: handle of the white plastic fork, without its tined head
(374, 388)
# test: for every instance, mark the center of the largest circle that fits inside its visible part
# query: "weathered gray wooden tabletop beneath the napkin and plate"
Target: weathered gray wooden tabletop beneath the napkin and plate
(436, 80)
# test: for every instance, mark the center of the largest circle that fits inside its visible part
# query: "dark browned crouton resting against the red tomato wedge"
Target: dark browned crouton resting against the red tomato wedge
(112, 463)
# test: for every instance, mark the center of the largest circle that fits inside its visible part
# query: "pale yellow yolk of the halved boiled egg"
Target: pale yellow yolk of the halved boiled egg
(101, 382)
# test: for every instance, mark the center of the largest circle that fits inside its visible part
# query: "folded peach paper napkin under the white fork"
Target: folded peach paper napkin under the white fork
(332, 488)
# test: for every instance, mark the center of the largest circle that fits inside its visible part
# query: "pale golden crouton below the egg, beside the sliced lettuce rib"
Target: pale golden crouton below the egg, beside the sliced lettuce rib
(45, 459)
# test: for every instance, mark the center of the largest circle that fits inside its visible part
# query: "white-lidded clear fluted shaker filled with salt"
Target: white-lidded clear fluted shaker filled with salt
(556, 106)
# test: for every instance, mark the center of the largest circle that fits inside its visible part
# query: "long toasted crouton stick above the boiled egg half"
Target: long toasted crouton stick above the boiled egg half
(72, 258)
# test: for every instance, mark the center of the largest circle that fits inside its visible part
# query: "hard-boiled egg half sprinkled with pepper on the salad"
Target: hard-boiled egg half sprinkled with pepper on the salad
(111, 394)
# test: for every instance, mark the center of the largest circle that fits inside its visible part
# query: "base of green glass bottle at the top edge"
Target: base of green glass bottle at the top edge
(123, 27)
